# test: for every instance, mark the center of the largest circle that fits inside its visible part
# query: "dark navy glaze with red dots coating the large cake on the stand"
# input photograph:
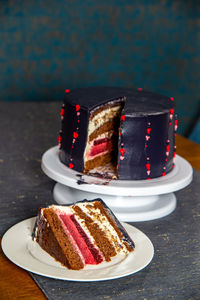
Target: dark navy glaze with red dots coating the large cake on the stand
(140, 109)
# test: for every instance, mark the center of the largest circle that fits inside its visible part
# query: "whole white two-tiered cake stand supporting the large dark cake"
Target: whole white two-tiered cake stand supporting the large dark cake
(138, 200)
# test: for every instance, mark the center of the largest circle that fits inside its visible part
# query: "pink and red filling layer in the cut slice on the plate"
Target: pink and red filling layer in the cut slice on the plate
(91, 255)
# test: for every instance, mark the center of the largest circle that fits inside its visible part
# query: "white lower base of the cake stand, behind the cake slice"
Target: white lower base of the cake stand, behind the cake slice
(126, 208)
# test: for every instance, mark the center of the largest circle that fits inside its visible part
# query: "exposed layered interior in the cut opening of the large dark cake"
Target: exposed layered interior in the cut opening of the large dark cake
(103, 136)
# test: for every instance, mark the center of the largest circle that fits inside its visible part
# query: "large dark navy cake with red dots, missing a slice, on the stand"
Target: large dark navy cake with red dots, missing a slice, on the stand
(132, 130)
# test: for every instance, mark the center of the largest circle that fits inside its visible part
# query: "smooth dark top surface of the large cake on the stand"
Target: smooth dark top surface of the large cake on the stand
(137, 102)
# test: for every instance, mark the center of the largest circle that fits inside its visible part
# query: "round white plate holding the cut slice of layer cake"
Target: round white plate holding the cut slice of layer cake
(18, 246)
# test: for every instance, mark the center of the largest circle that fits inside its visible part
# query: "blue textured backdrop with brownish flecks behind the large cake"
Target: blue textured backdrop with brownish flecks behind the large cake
(48, 46)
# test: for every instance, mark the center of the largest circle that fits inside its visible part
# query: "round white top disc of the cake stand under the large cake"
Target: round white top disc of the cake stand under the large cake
(175, 180)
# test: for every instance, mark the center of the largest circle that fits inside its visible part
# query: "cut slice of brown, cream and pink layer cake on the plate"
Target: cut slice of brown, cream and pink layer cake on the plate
(85, 233)
